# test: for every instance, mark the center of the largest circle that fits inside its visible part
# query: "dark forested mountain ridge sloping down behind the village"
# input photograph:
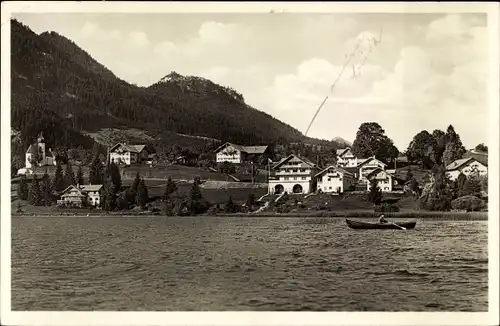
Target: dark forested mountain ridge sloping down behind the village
(58, 88)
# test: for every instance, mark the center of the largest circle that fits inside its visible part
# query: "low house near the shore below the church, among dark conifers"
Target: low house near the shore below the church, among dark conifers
(81, 196)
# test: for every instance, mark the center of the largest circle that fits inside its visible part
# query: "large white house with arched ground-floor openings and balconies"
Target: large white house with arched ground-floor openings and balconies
(294, 175)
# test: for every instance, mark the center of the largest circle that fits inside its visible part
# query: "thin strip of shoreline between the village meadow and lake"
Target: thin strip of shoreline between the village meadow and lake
(474, 216)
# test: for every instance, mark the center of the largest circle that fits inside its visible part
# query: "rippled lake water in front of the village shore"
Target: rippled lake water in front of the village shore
(246, 263)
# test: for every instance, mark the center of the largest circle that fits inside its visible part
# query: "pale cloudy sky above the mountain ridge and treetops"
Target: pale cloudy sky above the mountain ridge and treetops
(427, 71)
